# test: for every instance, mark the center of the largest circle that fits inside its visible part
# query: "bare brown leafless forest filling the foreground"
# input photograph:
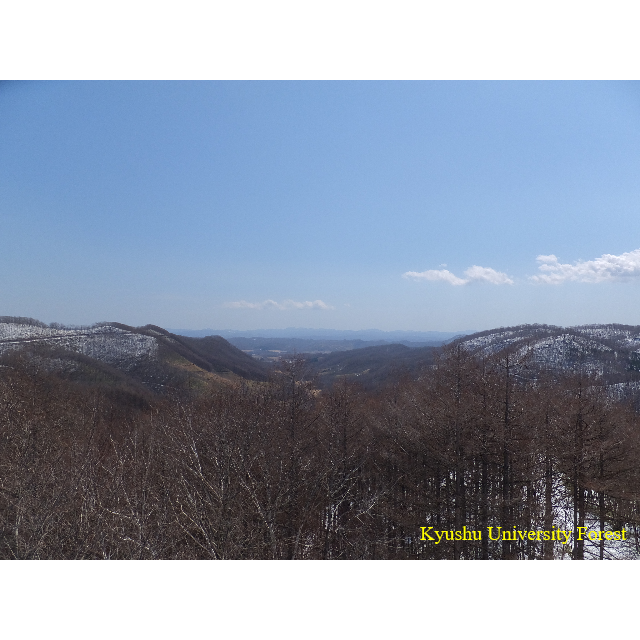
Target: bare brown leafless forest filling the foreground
(282, 470)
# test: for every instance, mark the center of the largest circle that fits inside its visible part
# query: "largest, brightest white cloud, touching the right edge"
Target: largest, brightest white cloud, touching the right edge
(603, 269)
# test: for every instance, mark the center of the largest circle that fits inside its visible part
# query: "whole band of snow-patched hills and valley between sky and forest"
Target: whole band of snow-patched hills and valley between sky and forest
(156, 360)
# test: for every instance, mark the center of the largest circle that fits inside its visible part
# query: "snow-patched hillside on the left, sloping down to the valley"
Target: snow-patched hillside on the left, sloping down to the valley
(147, 356)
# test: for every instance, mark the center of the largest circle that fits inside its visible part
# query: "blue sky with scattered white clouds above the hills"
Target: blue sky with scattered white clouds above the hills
(346, 205)
